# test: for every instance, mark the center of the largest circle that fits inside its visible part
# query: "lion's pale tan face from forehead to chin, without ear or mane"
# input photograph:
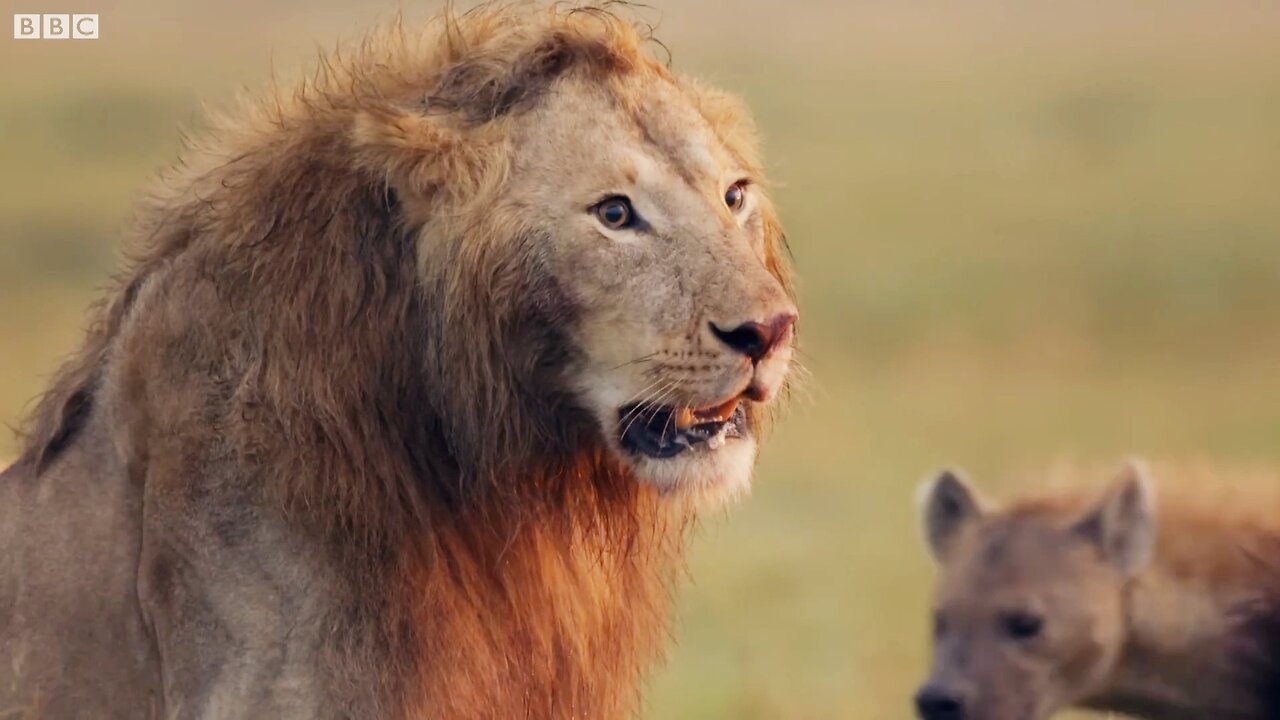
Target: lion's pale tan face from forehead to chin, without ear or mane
(657, 235)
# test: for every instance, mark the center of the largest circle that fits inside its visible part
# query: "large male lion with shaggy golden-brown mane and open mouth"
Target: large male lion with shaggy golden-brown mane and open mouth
(410, 393)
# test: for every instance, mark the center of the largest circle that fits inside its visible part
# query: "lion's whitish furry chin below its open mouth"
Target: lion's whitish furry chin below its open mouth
(705, 475)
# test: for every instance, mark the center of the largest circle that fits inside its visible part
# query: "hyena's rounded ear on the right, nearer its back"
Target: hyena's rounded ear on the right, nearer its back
(1123, 526)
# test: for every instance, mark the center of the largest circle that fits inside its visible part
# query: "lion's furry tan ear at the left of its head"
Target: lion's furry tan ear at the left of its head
(422, 153)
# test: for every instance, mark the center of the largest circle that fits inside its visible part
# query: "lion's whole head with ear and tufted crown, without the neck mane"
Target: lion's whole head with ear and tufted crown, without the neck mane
(611, 215)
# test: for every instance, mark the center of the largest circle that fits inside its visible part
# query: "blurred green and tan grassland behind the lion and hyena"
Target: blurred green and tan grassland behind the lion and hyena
(1025, 231)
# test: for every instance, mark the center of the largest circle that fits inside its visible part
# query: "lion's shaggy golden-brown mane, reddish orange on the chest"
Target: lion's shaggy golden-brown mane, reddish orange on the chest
(298, 323)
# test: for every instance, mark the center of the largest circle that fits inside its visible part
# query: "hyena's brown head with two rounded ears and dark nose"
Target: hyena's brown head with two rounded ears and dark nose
(1030, 603)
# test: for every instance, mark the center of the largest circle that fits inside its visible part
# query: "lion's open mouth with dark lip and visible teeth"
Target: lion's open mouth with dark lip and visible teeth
(666, 432)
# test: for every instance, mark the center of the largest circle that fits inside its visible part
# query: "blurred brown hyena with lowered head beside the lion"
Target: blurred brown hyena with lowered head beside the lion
(1072, 600)
